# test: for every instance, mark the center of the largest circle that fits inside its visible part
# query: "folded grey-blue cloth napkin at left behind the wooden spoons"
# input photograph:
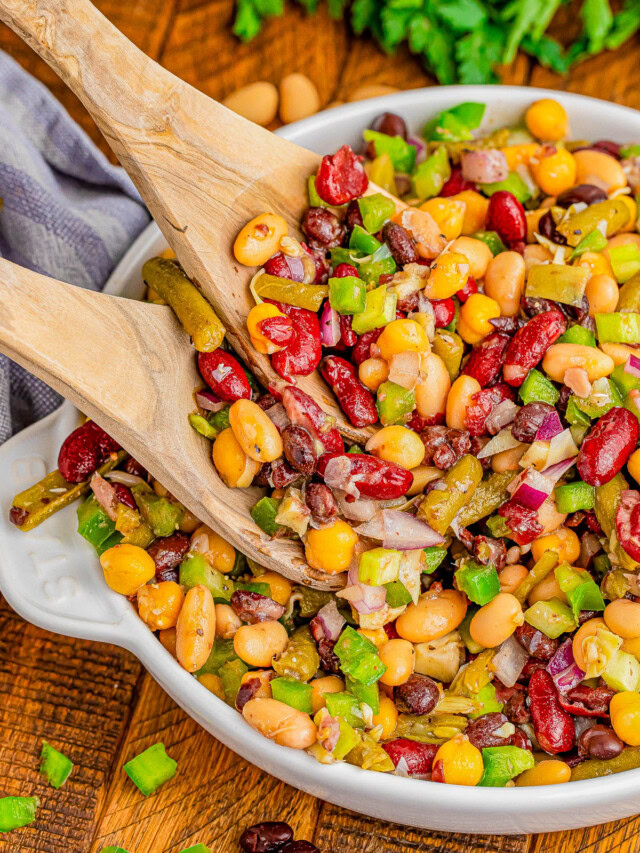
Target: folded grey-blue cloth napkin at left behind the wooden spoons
(67, 213)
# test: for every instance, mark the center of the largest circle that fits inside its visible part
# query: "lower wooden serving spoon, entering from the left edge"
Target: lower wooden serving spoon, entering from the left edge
(130, 367)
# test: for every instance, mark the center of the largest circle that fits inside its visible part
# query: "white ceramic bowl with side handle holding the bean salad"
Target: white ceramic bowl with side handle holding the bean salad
(53, 579)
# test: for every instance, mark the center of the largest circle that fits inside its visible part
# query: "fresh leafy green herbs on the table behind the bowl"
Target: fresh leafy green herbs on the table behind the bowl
(463, 41)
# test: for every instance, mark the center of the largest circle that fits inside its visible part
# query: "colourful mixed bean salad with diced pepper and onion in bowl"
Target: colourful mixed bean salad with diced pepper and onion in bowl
(480, 313)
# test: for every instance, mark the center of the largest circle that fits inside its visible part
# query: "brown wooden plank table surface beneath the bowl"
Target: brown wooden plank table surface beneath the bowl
(95, 702)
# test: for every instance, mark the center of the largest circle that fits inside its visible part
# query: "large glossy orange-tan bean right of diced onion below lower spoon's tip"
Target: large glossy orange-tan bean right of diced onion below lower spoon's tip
(435, 614)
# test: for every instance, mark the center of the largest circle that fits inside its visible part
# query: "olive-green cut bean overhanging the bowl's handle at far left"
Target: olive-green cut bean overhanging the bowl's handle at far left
(31, 507)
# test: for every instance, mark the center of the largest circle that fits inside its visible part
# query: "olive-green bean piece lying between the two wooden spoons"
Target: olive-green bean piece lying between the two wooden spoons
(197, 316)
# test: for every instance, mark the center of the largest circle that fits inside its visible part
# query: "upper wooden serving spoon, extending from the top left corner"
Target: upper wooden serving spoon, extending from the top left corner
(203, 171)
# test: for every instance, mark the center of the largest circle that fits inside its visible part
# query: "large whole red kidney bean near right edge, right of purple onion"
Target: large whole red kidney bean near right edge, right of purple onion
(607, 446)
